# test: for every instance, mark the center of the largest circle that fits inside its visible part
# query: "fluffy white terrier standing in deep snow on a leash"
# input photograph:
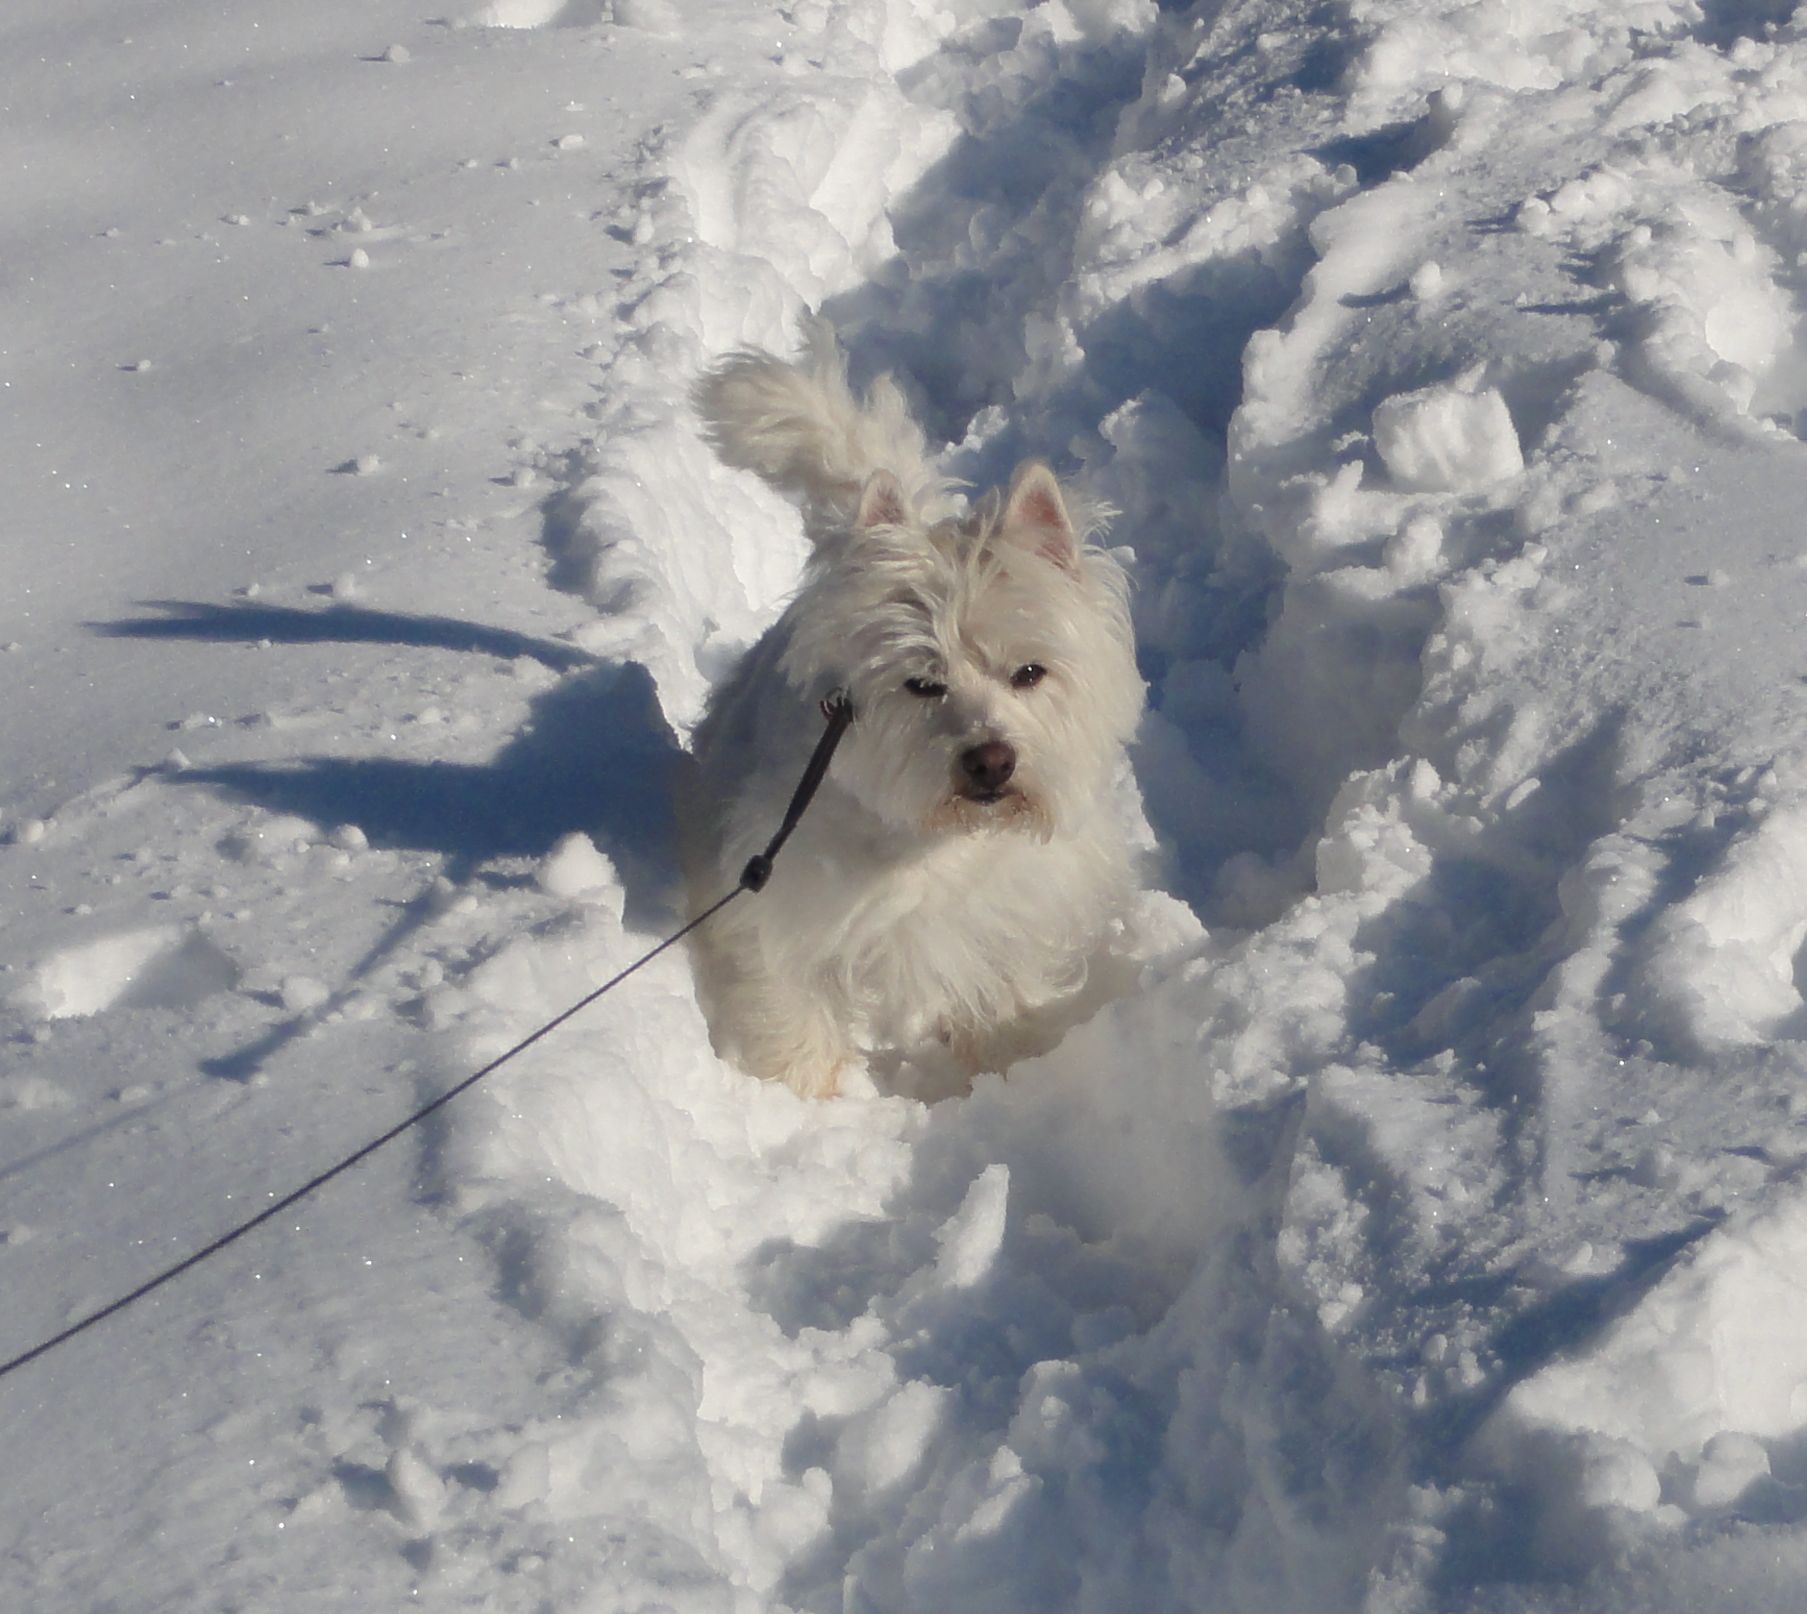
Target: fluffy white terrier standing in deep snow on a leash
(964, 859)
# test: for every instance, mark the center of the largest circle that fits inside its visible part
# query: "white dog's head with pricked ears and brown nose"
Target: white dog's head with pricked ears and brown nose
(989, 659)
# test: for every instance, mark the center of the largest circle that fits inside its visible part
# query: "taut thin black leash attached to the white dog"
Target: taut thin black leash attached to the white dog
(839, 713)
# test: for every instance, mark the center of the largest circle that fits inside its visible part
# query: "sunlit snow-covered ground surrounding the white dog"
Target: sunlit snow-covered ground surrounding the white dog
(1427, 1230)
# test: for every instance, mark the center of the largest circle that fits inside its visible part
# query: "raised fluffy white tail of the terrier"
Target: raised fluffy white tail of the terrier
(801, 429)
